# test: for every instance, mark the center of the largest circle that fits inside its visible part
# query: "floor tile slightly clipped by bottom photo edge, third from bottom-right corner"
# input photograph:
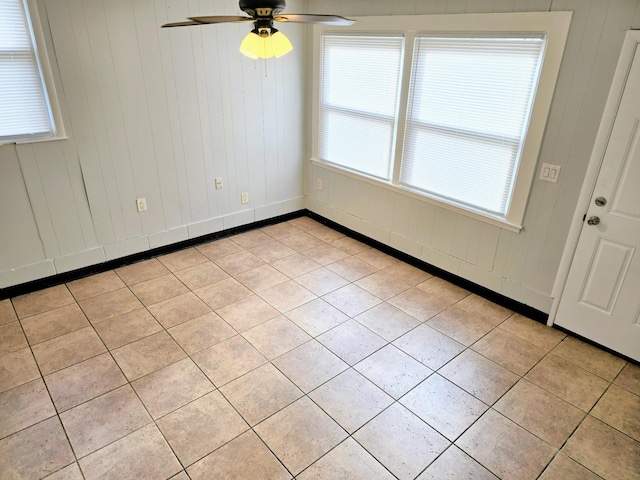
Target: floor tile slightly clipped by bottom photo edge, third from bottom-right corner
(497, 443)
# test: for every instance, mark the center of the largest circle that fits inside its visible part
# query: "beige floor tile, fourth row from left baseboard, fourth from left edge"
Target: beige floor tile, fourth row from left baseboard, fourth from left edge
(202, 332)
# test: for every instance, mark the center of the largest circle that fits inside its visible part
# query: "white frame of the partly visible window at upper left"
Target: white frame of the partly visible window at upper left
(46, 75)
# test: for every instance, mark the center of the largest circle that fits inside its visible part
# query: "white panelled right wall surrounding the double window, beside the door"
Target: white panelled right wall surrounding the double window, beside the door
(522, 265)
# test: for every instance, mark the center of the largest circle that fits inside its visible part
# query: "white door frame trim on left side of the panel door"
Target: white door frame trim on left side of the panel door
(630, 46)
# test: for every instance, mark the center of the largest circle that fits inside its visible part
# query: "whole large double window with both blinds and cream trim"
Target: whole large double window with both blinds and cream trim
(449, 107)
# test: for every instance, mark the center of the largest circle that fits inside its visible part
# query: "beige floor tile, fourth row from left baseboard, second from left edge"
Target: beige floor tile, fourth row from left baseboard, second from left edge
(83, 381)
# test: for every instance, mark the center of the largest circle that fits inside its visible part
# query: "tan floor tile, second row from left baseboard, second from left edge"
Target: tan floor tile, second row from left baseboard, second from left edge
(53, 323)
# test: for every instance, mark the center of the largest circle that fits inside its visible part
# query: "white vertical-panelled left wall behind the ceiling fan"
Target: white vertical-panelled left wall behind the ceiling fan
(154, 113)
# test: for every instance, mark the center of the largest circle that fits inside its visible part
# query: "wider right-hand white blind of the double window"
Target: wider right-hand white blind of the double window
(468, 111)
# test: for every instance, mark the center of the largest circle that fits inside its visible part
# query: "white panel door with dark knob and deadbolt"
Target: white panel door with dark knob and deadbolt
(601, 299)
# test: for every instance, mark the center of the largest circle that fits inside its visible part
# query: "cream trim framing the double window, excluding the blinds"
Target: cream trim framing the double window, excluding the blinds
(554, 25)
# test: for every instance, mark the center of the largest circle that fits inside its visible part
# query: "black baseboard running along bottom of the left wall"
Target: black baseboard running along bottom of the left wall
(60, 278)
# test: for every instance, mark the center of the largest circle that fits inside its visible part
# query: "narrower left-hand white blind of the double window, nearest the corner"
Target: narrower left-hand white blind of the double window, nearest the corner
(359, 89)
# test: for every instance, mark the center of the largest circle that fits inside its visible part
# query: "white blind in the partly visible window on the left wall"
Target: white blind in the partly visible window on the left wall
(24, 107)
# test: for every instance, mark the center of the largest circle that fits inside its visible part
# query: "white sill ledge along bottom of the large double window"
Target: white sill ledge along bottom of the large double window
(496, 221)
